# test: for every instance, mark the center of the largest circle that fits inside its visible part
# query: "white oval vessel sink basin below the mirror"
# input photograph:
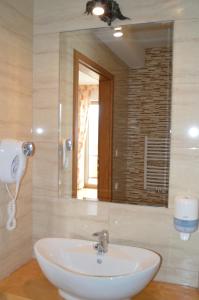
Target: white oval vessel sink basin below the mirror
(75, 269)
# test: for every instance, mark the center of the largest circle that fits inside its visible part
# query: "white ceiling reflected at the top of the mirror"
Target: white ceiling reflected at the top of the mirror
(130, 48)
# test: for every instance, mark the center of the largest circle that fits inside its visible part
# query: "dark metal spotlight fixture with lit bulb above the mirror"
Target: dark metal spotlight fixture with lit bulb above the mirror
(107, 10)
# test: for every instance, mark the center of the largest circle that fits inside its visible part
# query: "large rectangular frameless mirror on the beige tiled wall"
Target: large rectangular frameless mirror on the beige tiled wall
(115, 113)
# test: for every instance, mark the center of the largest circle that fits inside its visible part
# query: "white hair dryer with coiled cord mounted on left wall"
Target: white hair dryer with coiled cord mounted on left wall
(13, 156)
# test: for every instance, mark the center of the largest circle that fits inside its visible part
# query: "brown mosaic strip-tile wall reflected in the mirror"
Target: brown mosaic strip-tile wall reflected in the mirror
(147, 114)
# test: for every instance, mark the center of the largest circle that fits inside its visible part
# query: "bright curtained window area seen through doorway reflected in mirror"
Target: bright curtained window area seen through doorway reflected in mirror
(88, 126)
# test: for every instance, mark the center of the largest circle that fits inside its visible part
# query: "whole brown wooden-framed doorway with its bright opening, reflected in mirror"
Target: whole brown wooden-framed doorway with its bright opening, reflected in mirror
(92, 130)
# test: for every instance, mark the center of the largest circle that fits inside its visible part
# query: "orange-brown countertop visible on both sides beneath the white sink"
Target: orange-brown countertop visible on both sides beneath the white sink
(29, 283)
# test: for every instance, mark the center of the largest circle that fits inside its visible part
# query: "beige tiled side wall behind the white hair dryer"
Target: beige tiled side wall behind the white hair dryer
(16, 122)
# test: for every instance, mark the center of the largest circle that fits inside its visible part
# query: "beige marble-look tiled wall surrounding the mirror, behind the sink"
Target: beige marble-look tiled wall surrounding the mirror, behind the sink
(146, 226)
